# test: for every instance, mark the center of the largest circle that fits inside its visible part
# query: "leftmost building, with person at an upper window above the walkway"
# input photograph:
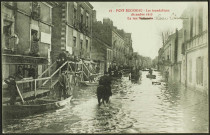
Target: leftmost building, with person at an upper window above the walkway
(26, 29)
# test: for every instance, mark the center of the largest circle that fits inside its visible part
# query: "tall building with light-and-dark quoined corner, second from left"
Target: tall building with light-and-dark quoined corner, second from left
(73, 31)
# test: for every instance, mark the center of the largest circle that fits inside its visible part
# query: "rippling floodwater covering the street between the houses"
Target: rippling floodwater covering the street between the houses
(135, 108)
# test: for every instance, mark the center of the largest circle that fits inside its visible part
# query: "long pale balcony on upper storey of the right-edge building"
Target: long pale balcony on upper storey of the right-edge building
(197, 41)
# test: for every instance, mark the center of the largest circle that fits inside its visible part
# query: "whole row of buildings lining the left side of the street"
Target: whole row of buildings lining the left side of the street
(34, 33)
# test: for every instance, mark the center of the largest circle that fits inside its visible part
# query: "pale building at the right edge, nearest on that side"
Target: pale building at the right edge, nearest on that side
(195, 47)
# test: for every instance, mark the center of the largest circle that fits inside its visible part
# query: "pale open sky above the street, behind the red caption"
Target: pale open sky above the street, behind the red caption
(146, 34)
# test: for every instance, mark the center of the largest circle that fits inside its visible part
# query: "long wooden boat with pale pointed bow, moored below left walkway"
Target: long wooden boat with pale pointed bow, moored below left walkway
(33, 107)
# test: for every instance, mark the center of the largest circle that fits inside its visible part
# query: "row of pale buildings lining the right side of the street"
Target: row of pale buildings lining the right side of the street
(185, 53)
